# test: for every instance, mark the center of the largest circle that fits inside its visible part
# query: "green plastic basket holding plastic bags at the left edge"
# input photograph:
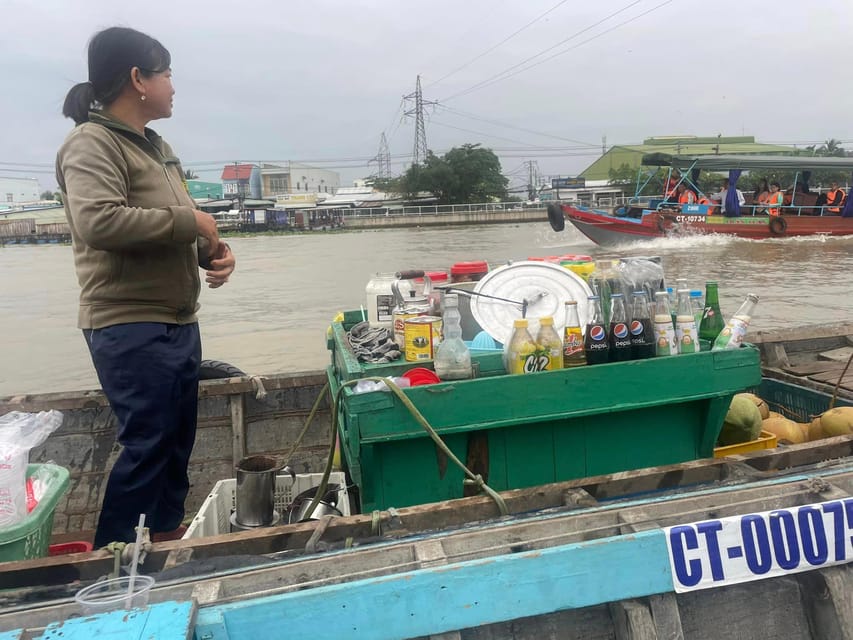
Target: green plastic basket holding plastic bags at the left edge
(30, 538)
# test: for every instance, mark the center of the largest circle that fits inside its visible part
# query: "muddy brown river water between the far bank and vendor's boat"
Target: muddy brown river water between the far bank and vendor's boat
(273, 314)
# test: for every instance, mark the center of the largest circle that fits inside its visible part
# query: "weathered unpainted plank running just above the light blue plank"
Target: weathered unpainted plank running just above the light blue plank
(499, 538)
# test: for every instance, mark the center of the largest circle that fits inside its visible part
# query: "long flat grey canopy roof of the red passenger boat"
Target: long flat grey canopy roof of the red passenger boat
(746, 162)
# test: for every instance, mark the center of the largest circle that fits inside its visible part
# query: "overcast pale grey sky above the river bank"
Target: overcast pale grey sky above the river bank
(321, 80)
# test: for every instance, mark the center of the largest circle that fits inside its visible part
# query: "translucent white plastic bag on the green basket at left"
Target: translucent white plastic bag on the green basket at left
(20, 432)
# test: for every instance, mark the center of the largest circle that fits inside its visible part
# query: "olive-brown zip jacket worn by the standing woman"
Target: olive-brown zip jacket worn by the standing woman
(133, 229)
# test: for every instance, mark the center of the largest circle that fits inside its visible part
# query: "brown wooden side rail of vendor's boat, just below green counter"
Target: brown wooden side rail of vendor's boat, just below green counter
(65, 569)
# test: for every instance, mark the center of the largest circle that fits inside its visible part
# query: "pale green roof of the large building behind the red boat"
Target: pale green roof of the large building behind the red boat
(631, 155)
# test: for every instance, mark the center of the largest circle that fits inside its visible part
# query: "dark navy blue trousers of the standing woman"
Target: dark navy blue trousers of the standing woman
(149, 373)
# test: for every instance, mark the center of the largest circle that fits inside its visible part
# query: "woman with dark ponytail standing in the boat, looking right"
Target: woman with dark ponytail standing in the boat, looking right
(138, 242)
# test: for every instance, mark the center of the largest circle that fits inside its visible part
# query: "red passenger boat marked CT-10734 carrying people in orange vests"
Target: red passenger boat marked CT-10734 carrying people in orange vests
(644, 218)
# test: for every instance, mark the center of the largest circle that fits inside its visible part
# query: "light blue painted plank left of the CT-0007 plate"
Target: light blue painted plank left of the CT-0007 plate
(459, 596)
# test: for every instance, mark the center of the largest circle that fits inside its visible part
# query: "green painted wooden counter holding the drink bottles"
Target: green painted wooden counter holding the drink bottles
(523, 430)
